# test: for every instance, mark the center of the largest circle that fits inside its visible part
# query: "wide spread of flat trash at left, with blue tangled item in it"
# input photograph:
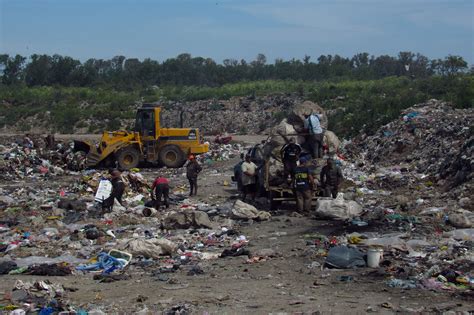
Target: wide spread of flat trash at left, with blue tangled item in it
(58, 229)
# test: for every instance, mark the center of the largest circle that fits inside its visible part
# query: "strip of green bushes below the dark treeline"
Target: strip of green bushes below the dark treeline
(355, 105)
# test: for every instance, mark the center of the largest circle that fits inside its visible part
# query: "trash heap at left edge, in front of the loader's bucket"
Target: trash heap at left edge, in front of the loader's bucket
(31, 157)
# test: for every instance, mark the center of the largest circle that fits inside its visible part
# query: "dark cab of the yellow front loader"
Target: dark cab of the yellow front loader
(147, 122)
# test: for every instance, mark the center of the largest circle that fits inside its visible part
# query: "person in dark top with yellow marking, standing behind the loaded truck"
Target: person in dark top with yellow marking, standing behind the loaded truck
(303, 186)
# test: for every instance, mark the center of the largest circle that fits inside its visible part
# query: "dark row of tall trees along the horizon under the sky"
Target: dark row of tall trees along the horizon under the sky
(127, 73)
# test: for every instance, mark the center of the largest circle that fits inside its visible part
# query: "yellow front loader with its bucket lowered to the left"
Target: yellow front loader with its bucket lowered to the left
(149, 142)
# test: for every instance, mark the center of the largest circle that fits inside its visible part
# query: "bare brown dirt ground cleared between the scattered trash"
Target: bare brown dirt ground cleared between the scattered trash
(284, 284)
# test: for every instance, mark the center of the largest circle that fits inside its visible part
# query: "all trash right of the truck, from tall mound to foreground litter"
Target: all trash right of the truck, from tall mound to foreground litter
(413, 179)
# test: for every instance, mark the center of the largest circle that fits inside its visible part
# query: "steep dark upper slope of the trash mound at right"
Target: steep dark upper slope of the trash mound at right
(432, 140)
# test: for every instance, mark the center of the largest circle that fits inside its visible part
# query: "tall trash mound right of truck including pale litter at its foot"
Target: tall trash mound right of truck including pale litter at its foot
(416, 168)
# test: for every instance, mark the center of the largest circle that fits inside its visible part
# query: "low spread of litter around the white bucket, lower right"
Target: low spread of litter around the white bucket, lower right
(403, 260)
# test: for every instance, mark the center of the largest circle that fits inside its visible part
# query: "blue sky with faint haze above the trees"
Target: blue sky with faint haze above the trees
(238, 29)
